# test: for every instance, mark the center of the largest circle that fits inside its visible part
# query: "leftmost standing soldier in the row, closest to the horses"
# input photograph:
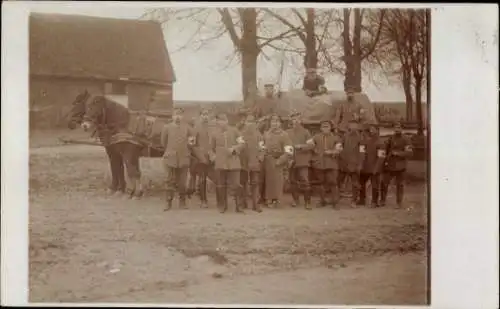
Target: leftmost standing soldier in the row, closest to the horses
(176, 138)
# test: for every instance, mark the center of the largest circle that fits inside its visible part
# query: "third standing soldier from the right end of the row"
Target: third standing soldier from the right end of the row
(351, 158)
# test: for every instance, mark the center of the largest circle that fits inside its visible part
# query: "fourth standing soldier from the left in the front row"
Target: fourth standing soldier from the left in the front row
(251, 158)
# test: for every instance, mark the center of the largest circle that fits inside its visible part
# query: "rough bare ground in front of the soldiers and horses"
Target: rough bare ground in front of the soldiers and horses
(88, 247)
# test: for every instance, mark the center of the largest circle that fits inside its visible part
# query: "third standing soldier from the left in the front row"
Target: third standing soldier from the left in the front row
(225, 147)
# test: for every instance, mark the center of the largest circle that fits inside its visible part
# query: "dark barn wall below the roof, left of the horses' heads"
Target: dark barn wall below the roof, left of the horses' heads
(50, 99)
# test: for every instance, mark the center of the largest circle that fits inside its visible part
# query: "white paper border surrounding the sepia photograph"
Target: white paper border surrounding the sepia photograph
(464, 150)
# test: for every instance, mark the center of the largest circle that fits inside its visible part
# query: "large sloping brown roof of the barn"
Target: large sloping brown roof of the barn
(109, 48)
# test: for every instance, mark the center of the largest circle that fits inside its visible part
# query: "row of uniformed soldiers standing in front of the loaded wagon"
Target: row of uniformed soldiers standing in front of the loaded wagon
(250, 165)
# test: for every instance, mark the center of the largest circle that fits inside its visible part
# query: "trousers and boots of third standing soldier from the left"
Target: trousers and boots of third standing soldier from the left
(228, 183)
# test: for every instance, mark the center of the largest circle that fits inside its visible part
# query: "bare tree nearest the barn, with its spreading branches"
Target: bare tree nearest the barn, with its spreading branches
(242, 25)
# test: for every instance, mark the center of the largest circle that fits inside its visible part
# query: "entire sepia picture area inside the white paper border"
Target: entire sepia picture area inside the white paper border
(199, 154)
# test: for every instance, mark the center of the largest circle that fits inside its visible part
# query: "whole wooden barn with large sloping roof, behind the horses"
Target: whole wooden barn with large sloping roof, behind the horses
(121, 58)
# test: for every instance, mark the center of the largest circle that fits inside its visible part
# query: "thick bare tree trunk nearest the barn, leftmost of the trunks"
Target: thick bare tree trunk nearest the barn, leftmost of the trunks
(249, 50)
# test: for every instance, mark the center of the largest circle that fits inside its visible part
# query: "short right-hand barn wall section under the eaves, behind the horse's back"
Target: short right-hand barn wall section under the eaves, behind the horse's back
(139, 96)
